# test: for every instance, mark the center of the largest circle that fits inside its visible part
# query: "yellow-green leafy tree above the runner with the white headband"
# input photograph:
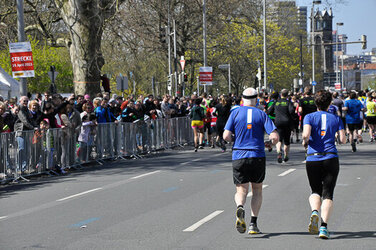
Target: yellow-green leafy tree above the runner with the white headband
(240, 43)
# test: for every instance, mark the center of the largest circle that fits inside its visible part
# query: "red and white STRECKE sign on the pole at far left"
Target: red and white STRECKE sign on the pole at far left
(21, 58)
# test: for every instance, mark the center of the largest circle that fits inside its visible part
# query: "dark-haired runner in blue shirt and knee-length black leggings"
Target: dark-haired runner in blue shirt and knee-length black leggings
(322, 164)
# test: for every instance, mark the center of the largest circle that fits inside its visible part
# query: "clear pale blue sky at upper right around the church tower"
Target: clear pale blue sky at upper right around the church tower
(358, 16)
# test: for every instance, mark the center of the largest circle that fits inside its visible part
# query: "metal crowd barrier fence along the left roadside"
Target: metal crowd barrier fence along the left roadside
(50, 151)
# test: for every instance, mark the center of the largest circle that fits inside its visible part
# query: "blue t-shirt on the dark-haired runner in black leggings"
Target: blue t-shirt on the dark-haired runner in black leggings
(324, 127)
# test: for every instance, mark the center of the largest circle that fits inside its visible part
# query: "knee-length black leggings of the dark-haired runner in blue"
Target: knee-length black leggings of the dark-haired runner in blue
(322, 176)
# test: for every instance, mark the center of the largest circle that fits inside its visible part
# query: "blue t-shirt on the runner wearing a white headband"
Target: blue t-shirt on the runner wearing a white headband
(249, 124)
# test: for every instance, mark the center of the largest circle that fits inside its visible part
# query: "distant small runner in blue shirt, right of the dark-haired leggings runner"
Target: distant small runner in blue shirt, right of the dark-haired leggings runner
(353, 121)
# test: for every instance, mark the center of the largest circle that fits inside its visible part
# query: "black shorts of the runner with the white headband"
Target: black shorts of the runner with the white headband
(249, 170)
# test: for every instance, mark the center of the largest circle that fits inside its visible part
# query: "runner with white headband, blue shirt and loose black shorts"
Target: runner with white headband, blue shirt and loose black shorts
(248, 124)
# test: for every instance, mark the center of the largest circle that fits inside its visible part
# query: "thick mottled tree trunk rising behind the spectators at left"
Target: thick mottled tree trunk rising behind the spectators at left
(85, 21)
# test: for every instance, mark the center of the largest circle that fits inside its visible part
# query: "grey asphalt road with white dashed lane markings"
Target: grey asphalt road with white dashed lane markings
(184, 200)
